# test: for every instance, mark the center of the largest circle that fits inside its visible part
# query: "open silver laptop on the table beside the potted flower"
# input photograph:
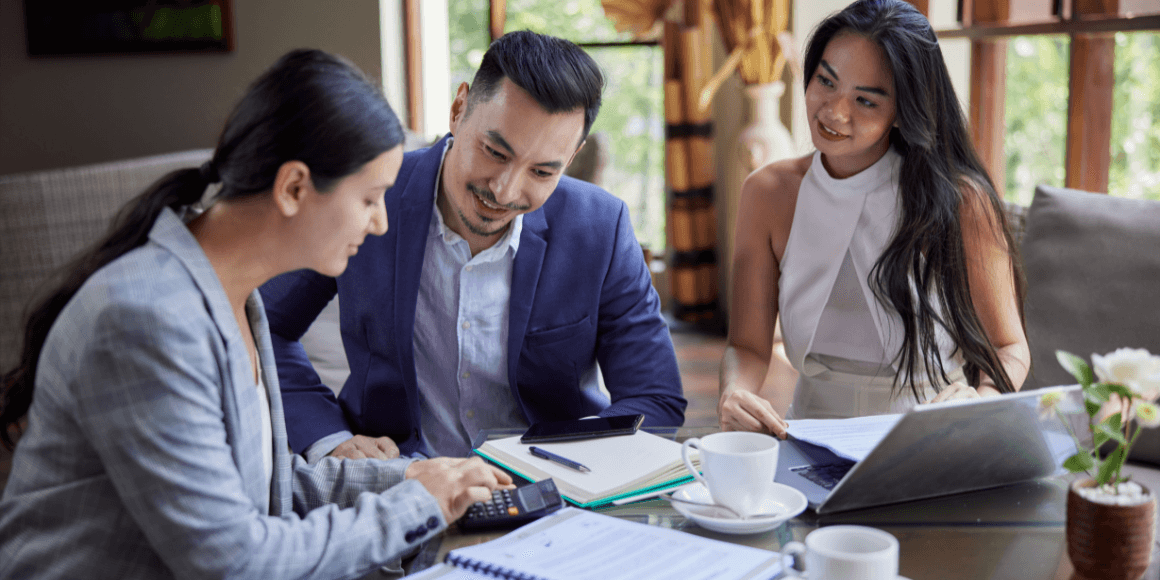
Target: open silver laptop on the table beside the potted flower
(936, 451)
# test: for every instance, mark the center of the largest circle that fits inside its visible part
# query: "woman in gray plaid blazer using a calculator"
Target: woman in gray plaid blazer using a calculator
(156, 444)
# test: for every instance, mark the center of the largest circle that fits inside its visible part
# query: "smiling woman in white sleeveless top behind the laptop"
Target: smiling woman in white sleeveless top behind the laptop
(840, 243)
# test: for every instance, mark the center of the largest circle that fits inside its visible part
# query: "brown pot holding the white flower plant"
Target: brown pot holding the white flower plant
(1110, 542)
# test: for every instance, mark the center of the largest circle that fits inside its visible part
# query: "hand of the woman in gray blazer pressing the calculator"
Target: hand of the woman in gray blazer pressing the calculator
(459, 483)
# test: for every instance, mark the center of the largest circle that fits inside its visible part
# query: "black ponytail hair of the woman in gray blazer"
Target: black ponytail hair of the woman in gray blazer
(310, 106)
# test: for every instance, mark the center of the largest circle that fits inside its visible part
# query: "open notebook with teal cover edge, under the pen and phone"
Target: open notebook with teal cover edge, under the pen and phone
(620, 467)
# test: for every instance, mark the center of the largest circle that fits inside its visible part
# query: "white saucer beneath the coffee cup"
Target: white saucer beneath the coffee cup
(784, 501)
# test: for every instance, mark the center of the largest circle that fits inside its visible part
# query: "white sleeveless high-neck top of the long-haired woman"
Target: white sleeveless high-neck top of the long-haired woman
(842, 340)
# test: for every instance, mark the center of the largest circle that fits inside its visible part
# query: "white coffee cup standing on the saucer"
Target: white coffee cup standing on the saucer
(738, 467)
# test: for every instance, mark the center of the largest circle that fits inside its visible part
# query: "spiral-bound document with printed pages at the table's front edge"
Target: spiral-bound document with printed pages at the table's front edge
(576, 545)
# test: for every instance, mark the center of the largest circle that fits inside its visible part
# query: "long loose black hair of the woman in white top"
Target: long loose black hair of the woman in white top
(939, 168)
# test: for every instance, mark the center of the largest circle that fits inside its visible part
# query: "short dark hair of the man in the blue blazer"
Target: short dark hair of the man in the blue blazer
(557, 74)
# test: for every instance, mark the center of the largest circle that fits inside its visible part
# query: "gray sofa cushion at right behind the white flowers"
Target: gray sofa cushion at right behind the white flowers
(1093, 273)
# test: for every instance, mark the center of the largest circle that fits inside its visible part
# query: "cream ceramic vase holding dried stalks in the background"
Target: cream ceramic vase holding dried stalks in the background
(765, 140)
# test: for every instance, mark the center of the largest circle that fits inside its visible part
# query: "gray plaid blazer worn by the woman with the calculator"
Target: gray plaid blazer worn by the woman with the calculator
(143, 454)
